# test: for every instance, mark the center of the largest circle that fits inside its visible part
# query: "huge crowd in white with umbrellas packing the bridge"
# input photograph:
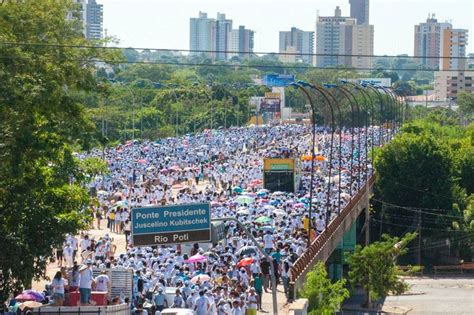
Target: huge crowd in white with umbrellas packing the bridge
(223, 168)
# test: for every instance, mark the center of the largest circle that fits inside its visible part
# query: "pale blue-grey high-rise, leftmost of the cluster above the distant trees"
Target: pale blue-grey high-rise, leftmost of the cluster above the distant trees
(202, 33)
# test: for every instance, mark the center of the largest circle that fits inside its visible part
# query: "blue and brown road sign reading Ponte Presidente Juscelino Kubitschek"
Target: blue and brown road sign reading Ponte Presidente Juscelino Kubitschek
(175, 224)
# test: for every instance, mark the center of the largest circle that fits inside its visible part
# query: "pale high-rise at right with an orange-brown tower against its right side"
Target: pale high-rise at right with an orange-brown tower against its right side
(429, 37)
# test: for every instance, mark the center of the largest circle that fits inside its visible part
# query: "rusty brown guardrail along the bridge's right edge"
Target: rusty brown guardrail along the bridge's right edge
(306, 260)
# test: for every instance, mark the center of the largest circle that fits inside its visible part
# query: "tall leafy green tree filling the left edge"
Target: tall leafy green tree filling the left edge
(41, 121)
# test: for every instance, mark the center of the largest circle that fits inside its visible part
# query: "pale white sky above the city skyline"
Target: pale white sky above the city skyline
(165, 23)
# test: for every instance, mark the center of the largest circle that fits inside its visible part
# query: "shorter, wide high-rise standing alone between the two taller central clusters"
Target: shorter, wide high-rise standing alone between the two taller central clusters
(297, 42)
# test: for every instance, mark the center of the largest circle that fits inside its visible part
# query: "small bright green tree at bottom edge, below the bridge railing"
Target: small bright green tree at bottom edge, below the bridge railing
(324, 297)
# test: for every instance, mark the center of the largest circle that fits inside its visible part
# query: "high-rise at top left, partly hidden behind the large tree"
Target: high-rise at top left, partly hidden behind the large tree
(91, 15)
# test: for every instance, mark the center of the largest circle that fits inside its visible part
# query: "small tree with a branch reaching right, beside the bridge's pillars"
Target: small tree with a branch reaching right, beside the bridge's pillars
(374, 267)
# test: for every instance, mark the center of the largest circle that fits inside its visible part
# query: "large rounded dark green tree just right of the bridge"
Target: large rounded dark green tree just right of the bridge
(415, 170)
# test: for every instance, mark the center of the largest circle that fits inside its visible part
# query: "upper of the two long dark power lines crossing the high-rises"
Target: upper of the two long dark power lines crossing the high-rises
(55, 45)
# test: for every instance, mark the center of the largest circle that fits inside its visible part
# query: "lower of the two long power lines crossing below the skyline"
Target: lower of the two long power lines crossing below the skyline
(307, 67)
